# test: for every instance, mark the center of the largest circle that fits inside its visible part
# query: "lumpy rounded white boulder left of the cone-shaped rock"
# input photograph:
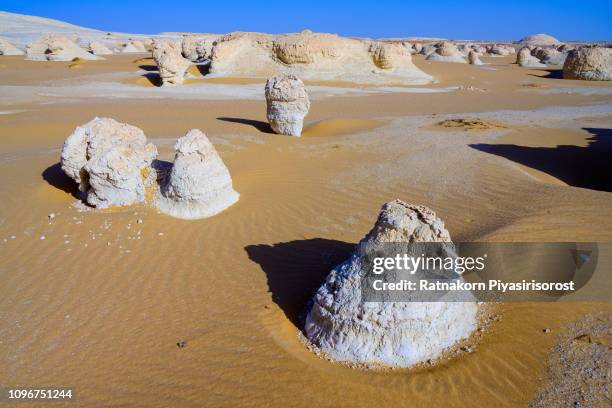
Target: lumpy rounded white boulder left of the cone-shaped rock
(110, 161)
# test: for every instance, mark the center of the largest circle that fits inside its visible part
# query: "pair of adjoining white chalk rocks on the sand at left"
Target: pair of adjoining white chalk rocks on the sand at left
(115, 166)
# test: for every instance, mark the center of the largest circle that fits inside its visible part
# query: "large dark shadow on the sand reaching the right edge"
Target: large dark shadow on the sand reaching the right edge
(586, 167)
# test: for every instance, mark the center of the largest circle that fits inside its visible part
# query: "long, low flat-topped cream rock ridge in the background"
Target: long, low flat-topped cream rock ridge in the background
(314, 56)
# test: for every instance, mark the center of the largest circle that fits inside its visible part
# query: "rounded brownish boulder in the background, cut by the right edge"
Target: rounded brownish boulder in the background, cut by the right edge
(590, 63)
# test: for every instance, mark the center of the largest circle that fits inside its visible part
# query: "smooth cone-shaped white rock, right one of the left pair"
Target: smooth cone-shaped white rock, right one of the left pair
(199, 184)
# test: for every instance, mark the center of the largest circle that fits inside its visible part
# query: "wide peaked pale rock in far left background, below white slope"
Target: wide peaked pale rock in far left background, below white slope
(56, 47)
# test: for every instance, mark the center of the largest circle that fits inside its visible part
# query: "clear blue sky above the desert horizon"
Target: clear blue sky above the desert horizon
(566, 20)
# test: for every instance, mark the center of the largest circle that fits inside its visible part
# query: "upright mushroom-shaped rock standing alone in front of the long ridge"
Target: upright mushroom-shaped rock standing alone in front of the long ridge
(287, 103)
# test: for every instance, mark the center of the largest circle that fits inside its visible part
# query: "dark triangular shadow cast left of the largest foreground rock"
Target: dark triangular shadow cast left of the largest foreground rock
(296, 269)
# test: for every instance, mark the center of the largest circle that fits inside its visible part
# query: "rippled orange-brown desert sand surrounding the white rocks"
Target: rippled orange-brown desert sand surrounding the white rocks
(101, 302)
